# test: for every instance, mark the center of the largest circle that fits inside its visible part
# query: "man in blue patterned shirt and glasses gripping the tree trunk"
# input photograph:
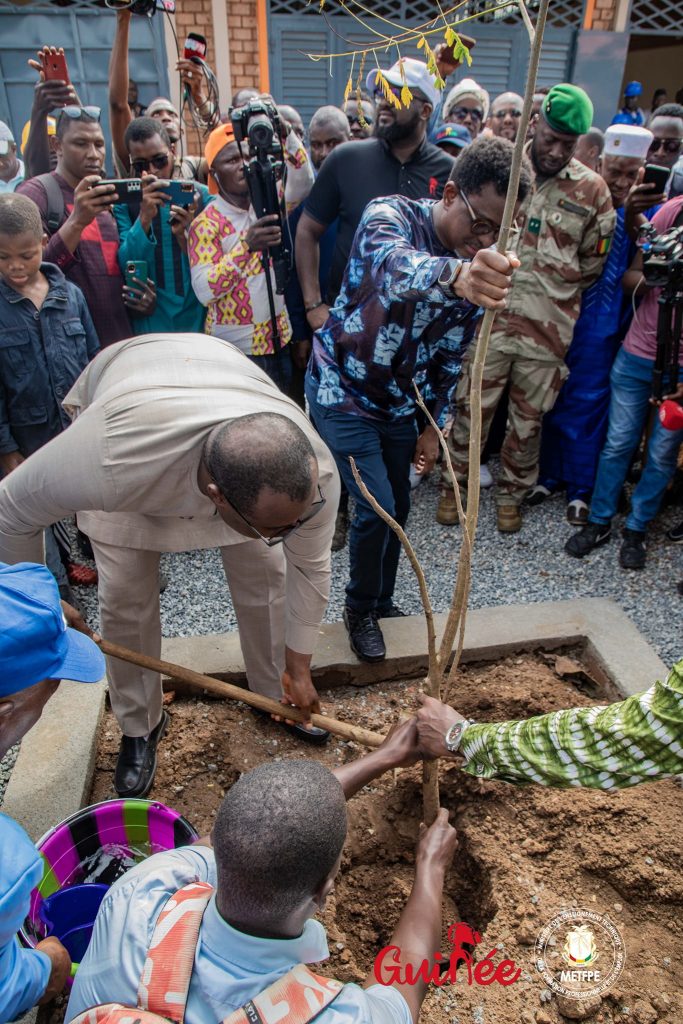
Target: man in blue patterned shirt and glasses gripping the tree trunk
(418, 274)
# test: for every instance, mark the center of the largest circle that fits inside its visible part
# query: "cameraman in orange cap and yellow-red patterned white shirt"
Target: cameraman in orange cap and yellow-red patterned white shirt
(229, 240)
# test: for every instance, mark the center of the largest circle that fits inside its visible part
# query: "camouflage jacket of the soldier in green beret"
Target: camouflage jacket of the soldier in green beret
(567, 227)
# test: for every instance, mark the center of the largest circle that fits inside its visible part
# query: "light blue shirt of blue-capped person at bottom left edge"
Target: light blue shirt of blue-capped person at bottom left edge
(24, 973)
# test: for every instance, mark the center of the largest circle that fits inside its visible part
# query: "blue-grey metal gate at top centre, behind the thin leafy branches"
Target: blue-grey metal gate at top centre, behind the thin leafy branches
(499, 60)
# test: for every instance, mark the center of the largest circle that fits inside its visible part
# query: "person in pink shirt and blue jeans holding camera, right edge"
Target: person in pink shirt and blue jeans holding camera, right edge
(632, 397)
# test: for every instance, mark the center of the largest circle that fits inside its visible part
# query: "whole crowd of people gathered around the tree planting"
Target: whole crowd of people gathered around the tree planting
(162, 391)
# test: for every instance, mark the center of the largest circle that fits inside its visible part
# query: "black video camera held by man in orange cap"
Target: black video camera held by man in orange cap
(260, 124)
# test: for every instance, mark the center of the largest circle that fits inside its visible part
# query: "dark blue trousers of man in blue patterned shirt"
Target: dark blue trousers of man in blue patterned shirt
(383, 453)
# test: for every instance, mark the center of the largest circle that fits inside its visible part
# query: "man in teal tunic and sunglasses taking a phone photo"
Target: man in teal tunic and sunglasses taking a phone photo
(154, 231)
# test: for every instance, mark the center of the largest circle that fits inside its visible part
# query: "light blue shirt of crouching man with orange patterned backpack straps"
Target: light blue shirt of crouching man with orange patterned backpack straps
(231, 967)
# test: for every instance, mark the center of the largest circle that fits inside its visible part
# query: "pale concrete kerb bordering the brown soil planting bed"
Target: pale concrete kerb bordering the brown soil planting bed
(54, 774)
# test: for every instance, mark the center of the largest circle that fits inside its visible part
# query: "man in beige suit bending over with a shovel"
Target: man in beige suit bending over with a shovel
(182, 443)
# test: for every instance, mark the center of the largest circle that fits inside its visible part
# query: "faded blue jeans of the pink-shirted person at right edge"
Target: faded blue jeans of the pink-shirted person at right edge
(631, 383)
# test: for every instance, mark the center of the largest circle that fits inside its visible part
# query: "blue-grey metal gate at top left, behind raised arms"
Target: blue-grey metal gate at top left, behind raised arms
(86, 29)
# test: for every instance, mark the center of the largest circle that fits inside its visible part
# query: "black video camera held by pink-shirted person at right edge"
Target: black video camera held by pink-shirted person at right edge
(663, 268)
